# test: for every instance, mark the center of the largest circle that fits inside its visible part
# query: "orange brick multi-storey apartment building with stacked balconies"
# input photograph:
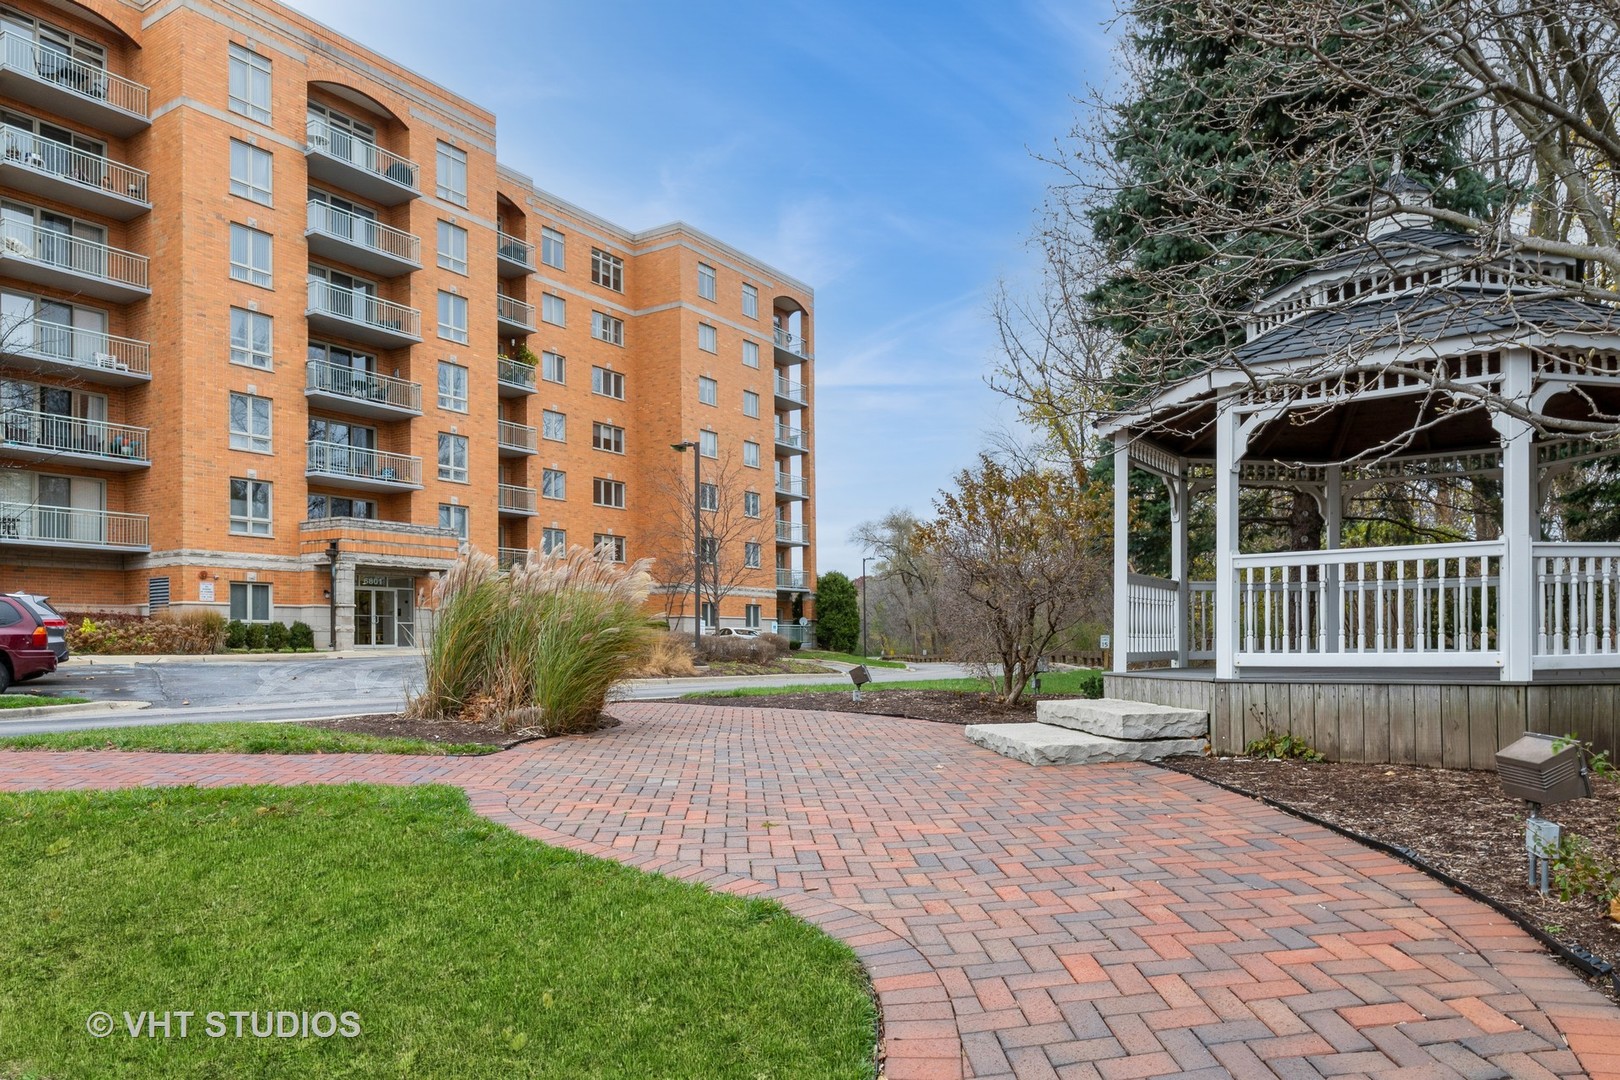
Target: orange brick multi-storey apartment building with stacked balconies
(268, 299)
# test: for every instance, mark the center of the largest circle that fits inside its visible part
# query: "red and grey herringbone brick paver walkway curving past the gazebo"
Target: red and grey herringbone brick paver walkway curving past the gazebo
(1018, 922)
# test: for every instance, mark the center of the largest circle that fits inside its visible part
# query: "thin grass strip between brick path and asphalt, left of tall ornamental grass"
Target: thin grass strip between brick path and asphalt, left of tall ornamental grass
(239, 738)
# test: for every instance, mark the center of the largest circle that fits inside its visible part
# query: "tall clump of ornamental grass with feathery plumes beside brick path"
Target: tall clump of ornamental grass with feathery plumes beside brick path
(539, 647)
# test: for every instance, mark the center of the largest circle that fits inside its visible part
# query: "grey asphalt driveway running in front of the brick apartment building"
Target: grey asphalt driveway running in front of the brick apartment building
(297, 691)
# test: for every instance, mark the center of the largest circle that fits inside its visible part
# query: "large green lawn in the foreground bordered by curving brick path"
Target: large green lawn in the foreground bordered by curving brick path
(466, 950)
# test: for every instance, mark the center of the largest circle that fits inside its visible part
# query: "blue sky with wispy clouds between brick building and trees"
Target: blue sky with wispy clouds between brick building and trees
(879, 151)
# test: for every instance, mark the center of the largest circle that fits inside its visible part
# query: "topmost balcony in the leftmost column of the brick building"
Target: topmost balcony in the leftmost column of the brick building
(70, 88)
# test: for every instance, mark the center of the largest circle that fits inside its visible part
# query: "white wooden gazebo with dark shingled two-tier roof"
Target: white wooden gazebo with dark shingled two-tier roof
(1407, 357)
